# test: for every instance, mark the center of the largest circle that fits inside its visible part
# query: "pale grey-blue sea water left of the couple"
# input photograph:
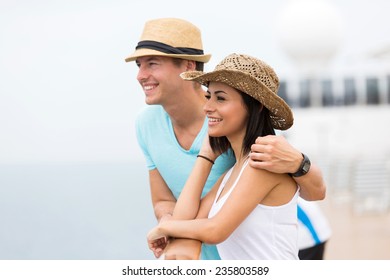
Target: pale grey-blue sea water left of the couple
(75, 211)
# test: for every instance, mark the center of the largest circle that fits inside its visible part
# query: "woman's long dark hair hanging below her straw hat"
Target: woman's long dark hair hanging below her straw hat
(258, 124)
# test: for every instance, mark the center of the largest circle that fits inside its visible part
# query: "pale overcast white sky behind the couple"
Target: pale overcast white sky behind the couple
(66, 93)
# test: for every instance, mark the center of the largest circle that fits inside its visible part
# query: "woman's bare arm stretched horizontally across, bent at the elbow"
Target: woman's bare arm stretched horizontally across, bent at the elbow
(241, 202)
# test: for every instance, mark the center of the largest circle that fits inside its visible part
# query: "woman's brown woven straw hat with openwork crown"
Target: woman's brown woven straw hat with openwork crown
(253, 77)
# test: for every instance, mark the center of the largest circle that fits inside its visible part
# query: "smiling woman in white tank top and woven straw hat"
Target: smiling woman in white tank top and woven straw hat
(249, 213)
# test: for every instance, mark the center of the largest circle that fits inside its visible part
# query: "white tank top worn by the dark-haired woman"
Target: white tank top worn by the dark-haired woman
(268, 233)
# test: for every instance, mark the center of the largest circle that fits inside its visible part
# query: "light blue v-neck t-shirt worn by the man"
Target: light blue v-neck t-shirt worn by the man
(158, 142)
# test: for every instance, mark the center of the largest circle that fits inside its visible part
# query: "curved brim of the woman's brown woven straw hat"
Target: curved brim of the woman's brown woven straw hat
(281, 114)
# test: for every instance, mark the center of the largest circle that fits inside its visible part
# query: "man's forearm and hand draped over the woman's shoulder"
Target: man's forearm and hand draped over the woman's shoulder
(275, 154)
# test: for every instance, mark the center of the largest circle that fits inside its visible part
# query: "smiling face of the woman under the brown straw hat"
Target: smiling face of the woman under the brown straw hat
(226, 111)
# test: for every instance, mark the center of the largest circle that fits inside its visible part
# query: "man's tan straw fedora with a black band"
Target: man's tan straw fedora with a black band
(170, 37)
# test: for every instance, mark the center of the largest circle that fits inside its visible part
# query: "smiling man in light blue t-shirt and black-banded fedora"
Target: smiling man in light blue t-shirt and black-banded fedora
(171, 132)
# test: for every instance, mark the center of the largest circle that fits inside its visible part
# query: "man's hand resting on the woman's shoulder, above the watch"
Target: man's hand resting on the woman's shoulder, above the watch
(275, 154)
